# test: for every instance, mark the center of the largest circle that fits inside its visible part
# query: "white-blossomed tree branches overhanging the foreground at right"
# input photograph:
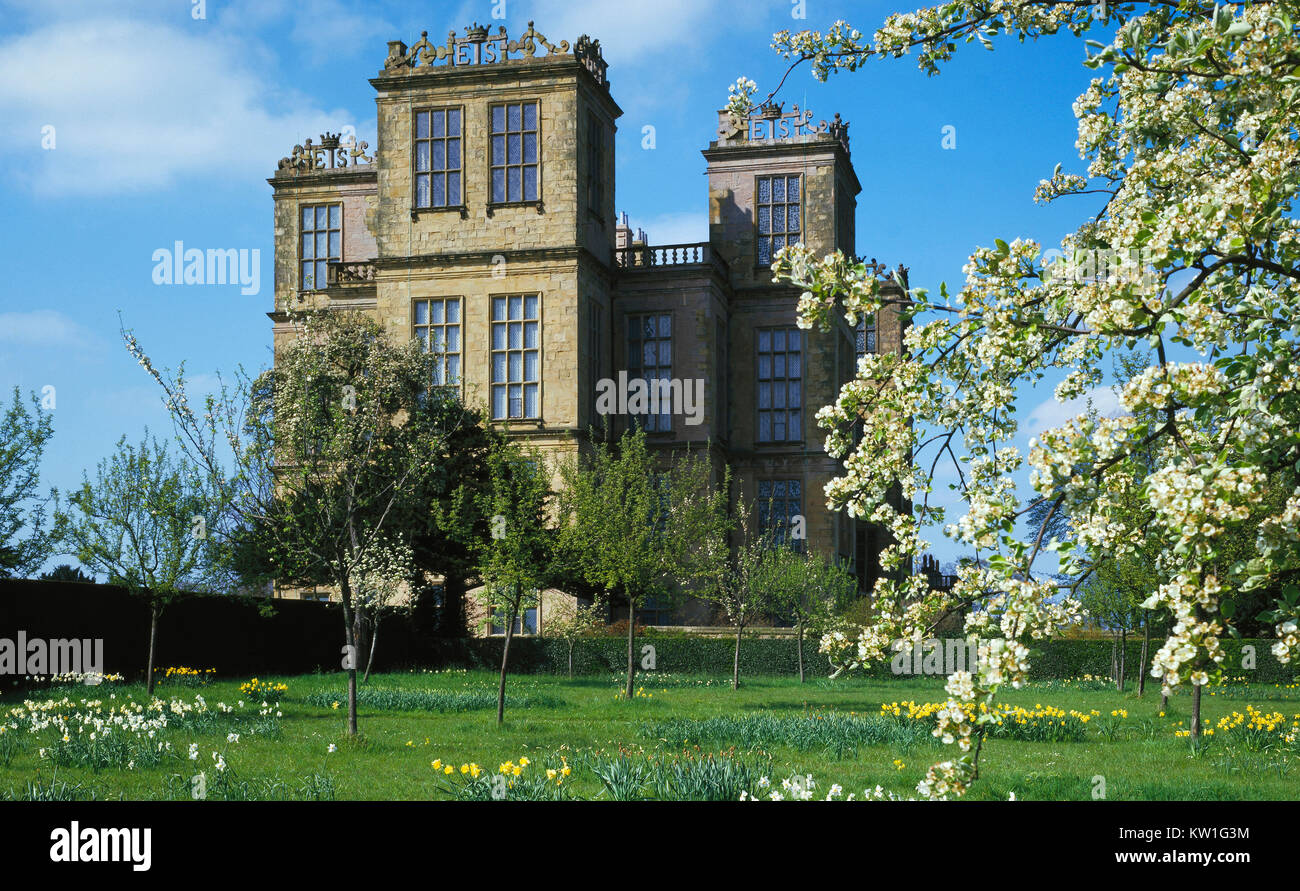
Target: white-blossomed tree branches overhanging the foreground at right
(1190, 145)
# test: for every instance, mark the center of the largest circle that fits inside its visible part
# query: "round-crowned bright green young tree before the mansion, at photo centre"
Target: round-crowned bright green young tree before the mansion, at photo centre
(634, 527)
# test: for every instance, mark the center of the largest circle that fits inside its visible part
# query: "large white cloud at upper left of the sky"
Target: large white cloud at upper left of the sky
(140, 105)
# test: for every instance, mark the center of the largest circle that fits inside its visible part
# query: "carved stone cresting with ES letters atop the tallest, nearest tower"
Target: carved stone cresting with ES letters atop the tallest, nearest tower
(480, 47)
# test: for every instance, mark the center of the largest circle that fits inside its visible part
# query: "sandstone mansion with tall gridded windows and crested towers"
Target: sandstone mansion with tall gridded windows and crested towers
(486, 226)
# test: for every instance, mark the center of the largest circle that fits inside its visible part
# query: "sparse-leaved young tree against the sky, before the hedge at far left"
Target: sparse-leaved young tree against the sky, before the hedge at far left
(144, 524)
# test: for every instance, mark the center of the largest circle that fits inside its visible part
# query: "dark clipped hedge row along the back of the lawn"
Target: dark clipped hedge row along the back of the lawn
(231, 635)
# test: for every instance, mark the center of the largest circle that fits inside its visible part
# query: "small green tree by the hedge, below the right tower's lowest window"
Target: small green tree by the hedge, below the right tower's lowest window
(807, 590)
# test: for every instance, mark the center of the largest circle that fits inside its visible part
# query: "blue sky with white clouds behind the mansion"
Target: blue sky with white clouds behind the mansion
(167, 127)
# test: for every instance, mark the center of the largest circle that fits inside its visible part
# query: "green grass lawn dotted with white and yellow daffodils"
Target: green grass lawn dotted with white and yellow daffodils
(830, 729)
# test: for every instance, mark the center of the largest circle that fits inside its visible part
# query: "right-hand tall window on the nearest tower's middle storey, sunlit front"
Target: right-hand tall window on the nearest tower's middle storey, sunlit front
(517, 356)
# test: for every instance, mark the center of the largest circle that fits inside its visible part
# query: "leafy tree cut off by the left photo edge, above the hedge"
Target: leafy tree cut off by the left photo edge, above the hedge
(25, 543)
